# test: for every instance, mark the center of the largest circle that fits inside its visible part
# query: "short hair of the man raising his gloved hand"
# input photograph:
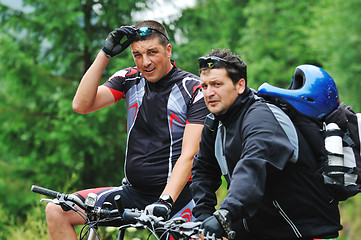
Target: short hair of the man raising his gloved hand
(160, 32)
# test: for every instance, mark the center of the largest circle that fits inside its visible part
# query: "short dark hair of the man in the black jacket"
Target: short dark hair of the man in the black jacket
(237, 68)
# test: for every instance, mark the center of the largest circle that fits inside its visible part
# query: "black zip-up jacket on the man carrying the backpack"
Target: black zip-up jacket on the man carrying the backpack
(270, 196)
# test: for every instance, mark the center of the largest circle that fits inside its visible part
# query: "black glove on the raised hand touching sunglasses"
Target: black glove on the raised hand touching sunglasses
(112, 45)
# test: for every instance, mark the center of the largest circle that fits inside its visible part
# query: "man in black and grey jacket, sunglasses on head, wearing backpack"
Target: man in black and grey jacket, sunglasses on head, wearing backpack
(270, 194)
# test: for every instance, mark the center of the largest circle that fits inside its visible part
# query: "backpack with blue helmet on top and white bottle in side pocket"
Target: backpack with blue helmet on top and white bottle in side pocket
(313, 94)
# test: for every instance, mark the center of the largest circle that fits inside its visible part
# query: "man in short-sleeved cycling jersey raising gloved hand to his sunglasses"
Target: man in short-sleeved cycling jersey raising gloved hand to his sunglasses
(165, 116)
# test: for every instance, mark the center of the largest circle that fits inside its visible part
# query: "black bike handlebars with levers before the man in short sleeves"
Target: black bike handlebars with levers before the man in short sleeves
(178, 228)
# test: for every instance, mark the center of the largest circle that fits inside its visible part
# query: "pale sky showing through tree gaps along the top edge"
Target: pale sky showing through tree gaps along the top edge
(162, 10)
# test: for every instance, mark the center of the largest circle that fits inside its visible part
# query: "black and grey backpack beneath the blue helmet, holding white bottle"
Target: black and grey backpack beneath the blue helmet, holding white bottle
(341, 170)
